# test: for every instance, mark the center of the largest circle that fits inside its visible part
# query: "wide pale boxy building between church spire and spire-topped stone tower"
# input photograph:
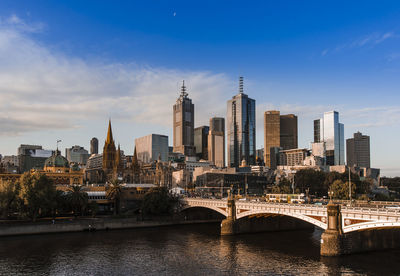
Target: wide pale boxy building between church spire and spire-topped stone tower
(152, 147)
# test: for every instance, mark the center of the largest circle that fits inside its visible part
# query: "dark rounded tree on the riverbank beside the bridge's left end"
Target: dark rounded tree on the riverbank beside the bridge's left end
(157, 201)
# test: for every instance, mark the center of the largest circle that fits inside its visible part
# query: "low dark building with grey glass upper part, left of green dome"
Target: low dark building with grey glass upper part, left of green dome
(32, 157)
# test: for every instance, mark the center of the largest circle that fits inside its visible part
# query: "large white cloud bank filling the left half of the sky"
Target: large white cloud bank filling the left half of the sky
(42, 89)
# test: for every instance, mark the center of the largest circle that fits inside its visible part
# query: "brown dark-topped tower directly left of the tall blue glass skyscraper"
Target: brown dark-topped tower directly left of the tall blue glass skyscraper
(216, 142)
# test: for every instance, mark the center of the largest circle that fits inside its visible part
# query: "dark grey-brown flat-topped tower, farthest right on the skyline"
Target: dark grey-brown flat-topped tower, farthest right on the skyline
(358, 151)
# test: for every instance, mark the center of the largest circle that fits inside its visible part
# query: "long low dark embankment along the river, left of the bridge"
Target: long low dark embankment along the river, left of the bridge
(87, 224)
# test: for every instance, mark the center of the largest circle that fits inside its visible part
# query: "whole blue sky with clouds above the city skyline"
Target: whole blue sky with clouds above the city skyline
(67, 66)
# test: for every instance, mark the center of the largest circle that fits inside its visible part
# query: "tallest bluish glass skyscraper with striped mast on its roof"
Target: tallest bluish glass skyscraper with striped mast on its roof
(241, 128)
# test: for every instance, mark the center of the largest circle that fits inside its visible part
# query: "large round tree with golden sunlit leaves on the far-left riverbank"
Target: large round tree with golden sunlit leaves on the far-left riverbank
(37, 194)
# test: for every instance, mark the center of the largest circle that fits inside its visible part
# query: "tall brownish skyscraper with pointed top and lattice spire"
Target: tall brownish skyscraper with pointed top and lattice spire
(183, 114)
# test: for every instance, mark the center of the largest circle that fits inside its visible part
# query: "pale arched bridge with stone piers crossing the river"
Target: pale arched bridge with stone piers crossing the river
(345, 228)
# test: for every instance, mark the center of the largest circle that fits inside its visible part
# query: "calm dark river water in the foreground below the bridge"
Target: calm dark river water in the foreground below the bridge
(183, 250)
